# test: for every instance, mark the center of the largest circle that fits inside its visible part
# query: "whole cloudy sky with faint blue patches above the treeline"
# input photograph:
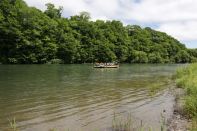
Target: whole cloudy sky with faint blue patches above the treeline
(177, 18)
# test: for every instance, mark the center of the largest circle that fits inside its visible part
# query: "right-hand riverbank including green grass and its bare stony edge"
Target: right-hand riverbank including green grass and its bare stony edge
(185, 112)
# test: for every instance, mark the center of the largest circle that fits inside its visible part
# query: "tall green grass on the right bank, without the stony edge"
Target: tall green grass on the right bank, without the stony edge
(186, 78)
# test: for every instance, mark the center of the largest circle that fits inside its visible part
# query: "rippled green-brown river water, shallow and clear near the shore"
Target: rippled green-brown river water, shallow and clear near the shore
(79, 97)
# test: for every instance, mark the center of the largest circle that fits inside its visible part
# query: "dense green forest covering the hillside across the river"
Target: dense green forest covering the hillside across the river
(28, 35)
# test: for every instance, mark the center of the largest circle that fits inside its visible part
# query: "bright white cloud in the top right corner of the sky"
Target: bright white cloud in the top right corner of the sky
(164, 10)
